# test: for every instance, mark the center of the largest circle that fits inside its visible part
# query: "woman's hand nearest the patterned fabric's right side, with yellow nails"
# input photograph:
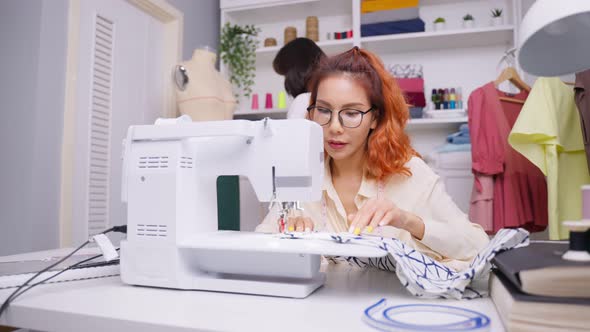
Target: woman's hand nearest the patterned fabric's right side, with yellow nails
(381, 212)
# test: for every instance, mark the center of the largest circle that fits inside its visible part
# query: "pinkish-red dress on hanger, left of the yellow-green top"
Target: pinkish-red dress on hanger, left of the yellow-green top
(509, 191)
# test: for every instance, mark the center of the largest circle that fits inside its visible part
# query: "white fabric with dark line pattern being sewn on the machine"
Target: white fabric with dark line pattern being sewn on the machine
(421, 275)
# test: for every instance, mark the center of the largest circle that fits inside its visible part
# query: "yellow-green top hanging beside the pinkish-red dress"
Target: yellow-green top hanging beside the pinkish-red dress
(548, 133)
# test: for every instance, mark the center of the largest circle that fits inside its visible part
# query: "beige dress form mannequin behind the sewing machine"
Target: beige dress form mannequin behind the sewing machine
(208, 95)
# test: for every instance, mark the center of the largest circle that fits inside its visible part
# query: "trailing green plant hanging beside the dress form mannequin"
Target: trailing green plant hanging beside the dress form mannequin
(237, 48)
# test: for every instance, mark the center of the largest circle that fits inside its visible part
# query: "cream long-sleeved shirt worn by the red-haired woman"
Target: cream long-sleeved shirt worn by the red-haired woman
(449, 236)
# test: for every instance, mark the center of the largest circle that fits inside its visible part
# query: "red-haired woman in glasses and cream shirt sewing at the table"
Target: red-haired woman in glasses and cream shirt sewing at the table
(374, 182)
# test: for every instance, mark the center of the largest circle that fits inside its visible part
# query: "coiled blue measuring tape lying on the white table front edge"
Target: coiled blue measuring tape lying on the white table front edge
(384, 318)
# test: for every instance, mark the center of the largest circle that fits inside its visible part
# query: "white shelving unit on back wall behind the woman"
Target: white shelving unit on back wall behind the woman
(454, 57)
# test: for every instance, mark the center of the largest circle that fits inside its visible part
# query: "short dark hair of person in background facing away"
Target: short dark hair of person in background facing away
(296, 61)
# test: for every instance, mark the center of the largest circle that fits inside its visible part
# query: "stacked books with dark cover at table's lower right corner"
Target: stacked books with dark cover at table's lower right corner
(534, 289)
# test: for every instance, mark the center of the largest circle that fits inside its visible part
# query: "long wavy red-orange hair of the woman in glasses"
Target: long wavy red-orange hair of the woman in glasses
(388, 147)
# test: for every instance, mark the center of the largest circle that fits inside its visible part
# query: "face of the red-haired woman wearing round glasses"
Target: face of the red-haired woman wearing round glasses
(343, 93)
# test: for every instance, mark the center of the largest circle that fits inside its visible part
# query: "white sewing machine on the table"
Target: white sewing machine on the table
(169, 184)
